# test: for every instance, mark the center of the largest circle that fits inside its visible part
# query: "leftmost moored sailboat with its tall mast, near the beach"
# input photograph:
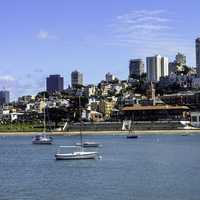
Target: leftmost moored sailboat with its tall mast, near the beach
(43, 138)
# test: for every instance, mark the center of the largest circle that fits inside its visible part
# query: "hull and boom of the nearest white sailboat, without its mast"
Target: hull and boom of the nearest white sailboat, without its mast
(75, 155)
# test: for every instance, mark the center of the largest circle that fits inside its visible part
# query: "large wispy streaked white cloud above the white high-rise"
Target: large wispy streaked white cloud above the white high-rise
(149, 32)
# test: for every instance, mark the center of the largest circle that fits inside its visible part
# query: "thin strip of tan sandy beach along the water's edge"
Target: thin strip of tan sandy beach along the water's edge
(117, 133)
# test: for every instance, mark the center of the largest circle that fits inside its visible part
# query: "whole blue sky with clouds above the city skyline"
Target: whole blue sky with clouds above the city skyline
(42, 37)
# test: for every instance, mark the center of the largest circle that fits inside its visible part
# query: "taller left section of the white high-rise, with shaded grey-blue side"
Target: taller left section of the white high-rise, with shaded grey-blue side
(153, 68)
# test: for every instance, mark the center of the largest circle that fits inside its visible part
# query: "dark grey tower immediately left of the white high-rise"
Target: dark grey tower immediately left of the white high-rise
(136, 68)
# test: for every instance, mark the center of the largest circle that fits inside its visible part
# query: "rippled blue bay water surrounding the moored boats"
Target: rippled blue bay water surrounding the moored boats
(151, 167)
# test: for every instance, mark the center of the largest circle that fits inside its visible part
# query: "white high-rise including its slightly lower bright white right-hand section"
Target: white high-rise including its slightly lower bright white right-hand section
(157, 66)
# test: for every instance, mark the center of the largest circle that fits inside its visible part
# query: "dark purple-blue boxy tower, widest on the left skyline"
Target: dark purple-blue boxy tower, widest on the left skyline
(54, 83)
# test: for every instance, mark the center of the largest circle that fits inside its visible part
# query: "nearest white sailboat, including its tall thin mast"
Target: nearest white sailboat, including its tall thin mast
(77, 154)
